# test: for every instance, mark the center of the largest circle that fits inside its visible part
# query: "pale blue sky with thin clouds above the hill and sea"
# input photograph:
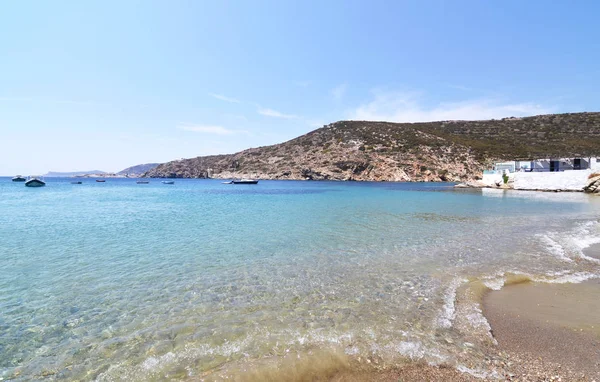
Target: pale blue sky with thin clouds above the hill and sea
(103, 85)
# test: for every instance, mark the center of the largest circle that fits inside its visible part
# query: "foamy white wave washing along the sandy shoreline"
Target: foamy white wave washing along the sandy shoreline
(460, 335)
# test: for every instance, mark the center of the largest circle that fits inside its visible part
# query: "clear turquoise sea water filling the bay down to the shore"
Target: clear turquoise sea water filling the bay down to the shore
(124, 281)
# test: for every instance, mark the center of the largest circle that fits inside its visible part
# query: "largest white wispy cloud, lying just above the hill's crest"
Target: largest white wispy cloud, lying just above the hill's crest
(406, 107)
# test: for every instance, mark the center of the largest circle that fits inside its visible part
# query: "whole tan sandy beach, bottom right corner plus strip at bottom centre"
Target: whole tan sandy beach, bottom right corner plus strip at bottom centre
(544, 332)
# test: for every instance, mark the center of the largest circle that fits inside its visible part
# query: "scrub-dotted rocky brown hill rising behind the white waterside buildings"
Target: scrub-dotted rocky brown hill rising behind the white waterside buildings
(383, 151)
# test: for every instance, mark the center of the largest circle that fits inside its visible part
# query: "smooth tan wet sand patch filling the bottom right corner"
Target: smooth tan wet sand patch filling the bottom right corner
(548, 330)
